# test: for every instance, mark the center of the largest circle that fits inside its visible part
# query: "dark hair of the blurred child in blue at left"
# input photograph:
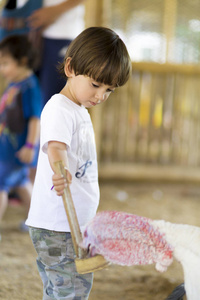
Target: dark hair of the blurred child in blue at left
(19, 47)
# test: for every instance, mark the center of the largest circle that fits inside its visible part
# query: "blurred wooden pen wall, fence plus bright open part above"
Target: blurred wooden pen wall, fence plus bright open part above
(150, 128)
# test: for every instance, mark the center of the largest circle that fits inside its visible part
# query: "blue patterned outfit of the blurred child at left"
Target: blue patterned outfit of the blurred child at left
(19, 103)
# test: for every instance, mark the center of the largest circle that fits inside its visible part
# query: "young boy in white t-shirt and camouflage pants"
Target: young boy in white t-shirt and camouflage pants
(95, 64)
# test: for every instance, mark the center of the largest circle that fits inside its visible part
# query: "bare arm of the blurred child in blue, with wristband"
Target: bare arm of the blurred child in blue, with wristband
(26, 153)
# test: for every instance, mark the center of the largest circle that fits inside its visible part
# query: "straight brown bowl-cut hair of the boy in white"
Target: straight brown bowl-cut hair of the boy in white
(99, 53)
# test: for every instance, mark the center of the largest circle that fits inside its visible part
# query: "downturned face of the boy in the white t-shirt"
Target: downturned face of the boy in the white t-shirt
(85, 91)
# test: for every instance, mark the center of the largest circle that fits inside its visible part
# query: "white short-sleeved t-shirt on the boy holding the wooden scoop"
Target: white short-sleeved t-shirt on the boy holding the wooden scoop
(63, 120)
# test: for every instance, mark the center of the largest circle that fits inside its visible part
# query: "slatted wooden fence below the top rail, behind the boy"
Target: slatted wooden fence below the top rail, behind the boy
(151, 126)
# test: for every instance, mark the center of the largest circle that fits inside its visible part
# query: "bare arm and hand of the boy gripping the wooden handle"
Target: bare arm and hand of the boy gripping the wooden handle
(57, 151)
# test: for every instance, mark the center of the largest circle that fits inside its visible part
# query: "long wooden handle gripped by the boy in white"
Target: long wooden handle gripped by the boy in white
(71, 213)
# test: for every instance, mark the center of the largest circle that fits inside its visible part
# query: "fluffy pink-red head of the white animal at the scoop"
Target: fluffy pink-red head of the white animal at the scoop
(127, 239)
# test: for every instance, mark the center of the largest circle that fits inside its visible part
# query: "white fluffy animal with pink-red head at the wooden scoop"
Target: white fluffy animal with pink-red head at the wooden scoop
(127, 239)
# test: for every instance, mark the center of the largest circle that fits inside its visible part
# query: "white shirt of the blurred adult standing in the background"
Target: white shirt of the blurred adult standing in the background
(68, 25)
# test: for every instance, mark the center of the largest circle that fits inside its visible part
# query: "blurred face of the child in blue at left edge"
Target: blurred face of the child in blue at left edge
(9, 68)
